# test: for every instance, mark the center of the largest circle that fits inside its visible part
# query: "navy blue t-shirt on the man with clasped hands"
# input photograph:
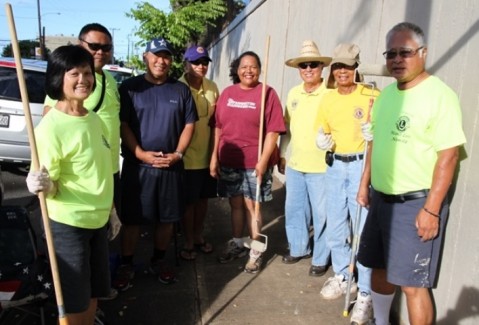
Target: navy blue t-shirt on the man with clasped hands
(156, 114)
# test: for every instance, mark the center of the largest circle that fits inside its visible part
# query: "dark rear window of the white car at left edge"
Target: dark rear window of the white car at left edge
(9, 88)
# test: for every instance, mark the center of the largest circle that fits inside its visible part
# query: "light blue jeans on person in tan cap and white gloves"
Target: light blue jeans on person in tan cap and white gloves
(342, 181)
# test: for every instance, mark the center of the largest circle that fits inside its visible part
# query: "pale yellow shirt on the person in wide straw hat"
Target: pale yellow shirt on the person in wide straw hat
(301, 116)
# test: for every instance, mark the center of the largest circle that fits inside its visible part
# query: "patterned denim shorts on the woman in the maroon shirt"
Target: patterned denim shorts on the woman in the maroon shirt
(238, 181)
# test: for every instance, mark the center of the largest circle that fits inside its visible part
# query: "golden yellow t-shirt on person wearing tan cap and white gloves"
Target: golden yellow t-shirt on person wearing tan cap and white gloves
(342, 115)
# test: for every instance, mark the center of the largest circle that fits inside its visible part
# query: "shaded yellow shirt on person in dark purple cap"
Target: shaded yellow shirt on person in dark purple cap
(198, 154)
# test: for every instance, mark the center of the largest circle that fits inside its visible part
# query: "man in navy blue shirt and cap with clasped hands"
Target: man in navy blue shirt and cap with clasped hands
(157, 116)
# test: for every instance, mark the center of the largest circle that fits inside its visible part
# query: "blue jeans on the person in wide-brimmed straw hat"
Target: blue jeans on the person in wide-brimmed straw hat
(305, 199)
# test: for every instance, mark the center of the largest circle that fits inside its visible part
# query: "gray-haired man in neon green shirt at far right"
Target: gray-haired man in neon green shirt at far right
(417, 131)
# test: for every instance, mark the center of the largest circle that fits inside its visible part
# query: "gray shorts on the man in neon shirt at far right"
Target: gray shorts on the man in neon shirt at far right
(389, 241)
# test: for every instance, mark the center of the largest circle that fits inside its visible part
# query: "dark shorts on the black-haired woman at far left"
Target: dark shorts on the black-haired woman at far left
(83, 264)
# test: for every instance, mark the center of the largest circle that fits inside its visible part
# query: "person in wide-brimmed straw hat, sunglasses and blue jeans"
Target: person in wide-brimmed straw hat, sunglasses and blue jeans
(305, 167)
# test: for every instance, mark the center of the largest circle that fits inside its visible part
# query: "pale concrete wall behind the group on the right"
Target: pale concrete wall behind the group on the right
(452, 31)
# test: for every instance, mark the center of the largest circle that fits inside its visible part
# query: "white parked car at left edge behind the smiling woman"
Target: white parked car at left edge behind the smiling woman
(14, 145)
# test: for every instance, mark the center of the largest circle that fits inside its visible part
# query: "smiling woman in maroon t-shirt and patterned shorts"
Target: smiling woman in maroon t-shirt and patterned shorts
(235, 154)
